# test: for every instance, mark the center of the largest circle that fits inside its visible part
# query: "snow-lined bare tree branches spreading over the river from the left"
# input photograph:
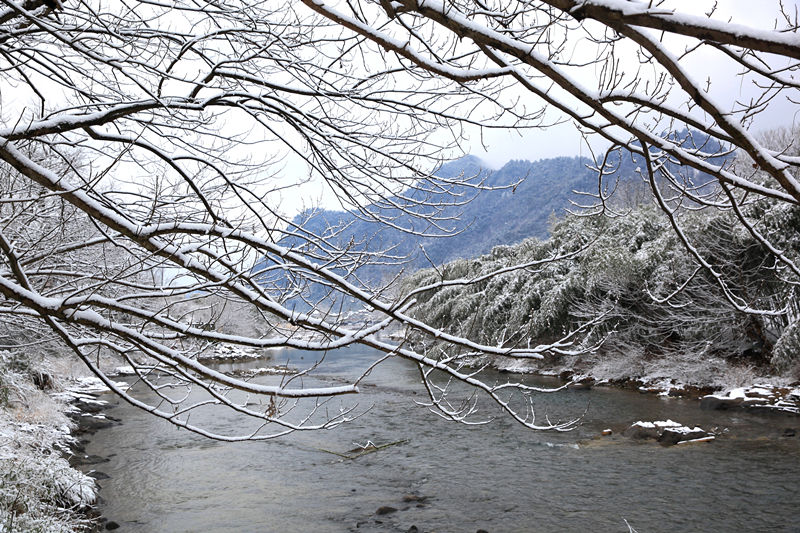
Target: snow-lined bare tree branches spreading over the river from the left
(178, 115)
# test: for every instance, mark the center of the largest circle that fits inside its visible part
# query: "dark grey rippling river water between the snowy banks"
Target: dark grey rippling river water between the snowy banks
(498, 477)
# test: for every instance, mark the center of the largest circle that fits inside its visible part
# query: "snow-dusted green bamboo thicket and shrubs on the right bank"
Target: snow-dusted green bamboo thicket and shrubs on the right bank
(634, 297)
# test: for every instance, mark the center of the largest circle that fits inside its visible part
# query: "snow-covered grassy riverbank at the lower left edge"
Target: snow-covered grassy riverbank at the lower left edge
(40, 487)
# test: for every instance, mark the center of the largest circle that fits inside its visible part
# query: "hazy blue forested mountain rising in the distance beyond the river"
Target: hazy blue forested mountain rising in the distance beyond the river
(506, 206)
